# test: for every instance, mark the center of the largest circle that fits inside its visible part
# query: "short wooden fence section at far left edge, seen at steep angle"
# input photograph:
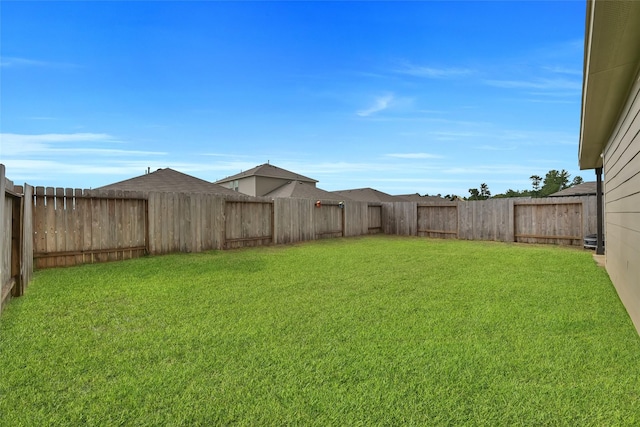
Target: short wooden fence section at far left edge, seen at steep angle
(16, 261)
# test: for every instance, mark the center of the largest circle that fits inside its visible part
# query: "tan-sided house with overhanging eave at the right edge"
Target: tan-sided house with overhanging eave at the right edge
(610, 136)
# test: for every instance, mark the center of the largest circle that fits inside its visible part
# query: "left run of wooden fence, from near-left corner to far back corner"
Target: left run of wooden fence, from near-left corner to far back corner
(73, 226)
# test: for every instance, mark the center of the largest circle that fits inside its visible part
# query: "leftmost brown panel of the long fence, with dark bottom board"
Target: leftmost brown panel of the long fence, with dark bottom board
(75, 226)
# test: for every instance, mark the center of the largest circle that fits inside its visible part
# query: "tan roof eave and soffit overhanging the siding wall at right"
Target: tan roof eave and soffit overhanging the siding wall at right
(611, 62)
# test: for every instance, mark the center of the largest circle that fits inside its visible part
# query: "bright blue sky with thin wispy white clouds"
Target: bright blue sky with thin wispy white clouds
(406, 97)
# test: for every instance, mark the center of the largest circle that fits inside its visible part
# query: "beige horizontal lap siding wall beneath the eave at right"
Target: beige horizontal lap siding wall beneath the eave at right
(622, 205)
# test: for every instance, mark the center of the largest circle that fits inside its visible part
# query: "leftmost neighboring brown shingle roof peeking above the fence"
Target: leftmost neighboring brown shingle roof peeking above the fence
(168, 180)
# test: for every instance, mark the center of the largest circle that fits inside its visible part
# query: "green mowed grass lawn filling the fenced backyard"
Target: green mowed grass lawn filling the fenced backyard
(361, 331)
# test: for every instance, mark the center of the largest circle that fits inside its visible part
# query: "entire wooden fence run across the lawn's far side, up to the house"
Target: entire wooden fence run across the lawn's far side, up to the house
(81, 226)
